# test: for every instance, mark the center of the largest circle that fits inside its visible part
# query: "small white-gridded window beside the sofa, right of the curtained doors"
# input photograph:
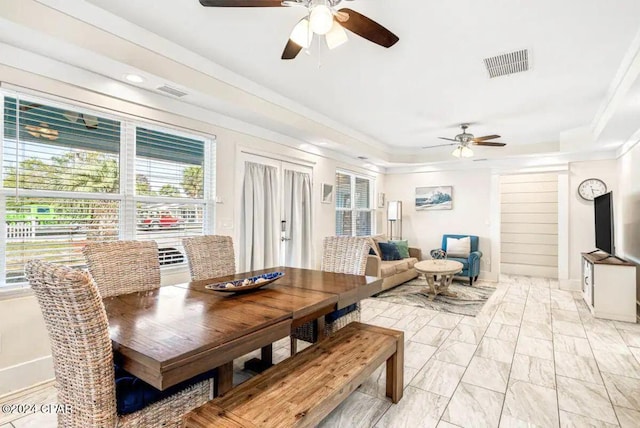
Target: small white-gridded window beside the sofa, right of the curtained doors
(354, 211)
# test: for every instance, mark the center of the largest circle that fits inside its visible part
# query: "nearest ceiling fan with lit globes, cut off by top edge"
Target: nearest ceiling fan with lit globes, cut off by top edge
(324, 19)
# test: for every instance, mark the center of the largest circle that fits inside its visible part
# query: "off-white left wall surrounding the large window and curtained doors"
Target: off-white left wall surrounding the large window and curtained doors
(24, 346)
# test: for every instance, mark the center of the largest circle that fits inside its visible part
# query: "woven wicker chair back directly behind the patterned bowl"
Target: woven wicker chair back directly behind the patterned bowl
(210, 256)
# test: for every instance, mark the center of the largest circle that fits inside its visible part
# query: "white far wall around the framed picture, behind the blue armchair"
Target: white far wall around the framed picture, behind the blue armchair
(471, 214)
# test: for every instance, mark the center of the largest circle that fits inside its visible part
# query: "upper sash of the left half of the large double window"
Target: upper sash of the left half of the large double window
(46, 148)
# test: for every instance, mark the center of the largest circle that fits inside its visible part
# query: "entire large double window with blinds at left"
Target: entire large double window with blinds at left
(68, 178)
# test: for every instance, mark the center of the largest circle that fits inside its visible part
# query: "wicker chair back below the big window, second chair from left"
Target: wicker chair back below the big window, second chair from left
(123, 267)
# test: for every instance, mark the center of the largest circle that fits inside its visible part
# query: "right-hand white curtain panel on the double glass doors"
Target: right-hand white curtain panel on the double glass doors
(297, 214)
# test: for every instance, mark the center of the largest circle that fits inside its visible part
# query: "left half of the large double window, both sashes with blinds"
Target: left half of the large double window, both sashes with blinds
(60, 172)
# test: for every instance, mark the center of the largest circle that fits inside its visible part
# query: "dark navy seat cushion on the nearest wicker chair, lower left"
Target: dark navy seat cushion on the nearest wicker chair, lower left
(133, 394)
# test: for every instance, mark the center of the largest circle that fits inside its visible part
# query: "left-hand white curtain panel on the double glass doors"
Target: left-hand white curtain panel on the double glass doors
(259, 234)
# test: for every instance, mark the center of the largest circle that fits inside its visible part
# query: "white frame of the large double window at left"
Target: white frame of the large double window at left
(126, 168)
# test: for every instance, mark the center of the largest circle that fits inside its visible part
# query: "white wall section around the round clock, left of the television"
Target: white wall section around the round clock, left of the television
(581, 226)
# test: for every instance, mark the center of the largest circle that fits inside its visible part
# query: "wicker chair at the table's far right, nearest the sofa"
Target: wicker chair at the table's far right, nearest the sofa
(341, 254)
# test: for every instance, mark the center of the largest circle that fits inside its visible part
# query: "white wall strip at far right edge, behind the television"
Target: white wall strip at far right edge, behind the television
(627, 206)
